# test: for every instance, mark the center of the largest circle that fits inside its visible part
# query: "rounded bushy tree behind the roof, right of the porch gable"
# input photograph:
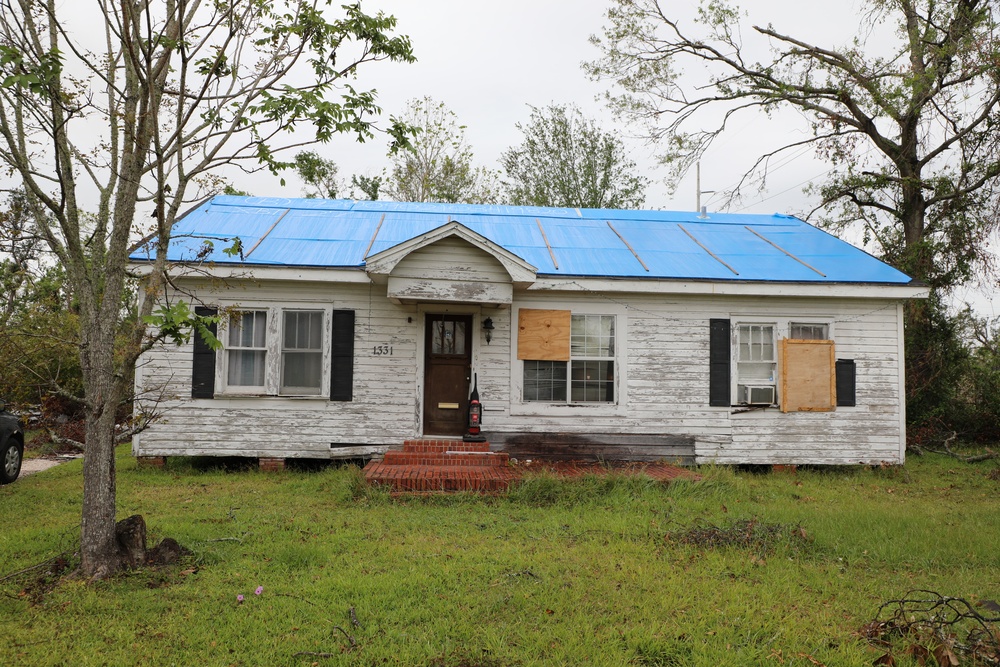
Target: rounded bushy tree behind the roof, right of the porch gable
(567, 160)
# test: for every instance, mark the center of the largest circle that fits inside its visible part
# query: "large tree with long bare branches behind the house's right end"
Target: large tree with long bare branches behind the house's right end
(908, 121)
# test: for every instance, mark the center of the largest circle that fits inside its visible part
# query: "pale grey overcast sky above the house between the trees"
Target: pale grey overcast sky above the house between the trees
(487, 61)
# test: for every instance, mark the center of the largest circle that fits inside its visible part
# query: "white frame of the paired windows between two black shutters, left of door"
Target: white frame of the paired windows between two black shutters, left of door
(274, 351)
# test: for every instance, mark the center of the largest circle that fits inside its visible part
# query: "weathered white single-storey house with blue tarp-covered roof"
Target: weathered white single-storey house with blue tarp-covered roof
(349, 327)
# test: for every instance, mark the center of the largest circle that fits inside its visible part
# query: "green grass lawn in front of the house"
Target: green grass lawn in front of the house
(602, 571)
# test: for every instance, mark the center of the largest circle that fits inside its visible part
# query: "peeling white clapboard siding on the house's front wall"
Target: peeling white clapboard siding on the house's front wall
(662, 375)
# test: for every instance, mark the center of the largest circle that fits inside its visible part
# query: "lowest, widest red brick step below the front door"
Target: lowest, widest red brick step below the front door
(439, 478)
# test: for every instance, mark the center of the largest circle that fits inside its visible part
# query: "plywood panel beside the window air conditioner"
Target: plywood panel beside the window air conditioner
(808, 375)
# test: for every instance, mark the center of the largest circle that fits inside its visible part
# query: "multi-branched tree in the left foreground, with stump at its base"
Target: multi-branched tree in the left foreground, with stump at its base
(106, 130)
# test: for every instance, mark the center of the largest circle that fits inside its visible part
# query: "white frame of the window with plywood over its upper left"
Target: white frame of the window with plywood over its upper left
(569, 407)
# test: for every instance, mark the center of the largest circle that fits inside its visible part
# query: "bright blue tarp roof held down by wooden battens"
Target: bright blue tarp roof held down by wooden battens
(583, 242)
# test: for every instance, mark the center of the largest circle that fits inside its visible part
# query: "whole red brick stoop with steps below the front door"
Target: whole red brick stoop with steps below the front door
(442, 465)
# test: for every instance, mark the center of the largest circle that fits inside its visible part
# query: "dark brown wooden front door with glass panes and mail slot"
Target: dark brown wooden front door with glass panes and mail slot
(447, 370)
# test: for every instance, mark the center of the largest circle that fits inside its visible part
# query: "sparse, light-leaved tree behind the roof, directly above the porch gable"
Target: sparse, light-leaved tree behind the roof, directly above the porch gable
(438, 167)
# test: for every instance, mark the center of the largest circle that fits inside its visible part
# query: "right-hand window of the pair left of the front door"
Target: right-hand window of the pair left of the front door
(302, 352)
